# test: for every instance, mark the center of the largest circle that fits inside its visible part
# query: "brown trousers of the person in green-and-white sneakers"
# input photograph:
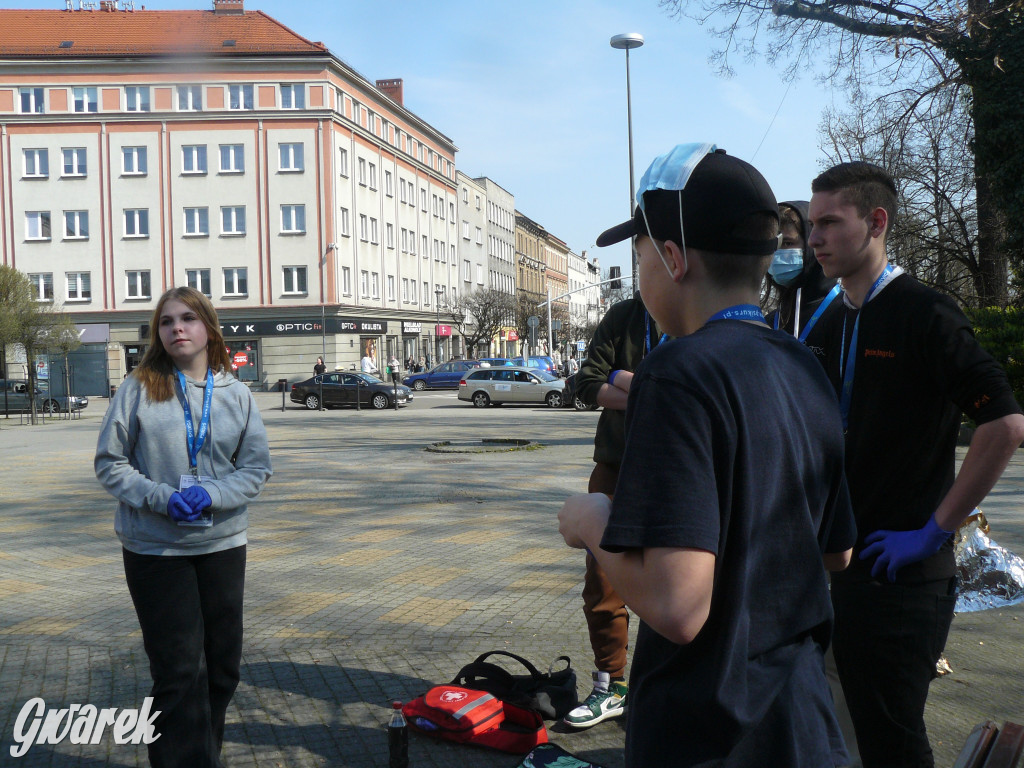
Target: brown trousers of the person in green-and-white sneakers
(608, 619)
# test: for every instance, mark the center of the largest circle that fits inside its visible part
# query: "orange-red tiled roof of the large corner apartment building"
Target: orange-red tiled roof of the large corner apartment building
(115, 30)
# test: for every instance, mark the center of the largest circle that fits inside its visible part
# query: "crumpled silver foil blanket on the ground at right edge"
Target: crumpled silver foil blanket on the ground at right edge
(989, 576)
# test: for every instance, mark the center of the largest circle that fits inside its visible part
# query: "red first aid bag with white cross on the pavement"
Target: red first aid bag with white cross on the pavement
(467, 716)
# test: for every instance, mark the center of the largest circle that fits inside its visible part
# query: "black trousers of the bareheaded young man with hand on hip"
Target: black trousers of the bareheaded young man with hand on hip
(887, 639)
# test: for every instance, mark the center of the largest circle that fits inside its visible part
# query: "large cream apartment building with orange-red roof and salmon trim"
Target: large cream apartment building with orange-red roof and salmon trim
(219, 149)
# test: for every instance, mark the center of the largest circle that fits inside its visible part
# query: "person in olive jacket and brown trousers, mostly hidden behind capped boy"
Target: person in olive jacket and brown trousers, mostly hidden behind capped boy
(623, 338)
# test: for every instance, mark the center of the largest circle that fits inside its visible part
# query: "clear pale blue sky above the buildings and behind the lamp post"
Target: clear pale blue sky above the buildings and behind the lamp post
(535, 98)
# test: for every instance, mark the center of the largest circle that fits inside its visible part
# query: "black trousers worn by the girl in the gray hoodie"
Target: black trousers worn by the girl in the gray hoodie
(190, 610)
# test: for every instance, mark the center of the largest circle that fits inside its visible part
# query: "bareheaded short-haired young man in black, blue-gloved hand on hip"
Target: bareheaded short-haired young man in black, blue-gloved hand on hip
(905, 363)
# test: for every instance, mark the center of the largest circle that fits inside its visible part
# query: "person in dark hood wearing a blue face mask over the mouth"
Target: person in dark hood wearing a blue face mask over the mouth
(798, 289)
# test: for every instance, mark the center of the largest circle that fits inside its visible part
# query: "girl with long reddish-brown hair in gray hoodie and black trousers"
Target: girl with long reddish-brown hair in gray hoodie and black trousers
(184, 450)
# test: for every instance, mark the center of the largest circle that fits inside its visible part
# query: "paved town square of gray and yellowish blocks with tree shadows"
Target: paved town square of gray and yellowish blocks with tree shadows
(375, 570)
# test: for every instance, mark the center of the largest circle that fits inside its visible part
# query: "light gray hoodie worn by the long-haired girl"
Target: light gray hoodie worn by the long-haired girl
(143, 453)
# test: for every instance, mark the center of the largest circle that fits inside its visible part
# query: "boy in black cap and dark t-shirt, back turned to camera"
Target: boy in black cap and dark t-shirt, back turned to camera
(717, 548)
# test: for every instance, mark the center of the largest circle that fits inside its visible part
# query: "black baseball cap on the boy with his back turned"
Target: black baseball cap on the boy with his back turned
(721, 192)
